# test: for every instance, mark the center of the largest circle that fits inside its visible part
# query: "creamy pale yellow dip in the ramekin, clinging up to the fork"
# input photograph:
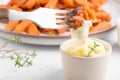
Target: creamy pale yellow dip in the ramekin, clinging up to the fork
(83, 46)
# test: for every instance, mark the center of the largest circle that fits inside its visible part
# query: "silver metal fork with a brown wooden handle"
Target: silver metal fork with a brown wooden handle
(43, 17)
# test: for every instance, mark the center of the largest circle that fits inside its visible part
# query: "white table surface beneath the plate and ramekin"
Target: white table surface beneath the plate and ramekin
(47, 65)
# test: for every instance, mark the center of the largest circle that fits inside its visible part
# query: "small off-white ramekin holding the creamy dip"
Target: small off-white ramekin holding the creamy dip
(79, 68)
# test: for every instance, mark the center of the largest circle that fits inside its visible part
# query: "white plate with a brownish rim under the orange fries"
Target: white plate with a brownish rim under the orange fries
(111, 6)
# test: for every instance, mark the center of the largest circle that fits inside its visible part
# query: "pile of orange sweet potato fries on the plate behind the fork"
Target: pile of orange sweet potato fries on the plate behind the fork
(101, 19)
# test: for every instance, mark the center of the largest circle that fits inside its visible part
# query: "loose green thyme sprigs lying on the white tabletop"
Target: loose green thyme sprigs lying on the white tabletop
(21, 59)
